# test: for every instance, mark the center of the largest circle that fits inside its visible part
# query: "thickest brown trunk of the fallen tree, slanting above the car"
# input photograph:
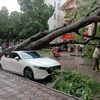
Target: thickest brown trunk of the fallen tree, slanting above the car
(41, 43)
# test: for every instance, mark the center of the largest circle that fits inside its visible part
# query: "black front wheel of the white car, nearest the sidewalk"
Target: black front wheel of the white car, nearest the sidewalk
(28, 73)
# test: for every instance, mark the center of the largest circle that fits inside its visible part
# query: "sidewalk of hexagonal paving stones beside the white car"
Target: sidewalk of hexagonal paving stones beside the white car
(13, 87)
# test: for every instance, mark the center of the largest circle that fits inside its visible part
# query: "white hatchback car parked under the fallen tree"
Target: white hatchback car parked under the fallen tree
(29, 64)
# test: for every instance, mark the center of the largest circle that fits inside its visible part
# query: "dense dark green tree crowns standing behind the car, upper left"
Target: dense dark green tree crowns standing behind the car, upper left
(24, 24)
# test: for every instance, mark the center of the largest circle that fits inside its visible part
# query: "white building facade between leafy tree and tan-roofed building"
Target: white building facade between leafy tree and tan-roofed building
(57, 19)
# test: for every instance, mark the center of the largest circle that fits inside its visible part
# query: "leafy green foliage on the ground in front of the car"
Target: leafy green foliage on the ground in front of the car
(76, 84)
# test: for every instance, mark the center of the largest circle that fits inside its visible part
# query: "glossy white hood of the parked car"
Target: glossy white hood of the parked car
(45, 62)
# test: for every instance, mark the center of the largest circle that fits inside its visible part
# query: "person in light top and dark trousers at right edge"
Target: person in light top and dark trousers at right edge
(96, 58)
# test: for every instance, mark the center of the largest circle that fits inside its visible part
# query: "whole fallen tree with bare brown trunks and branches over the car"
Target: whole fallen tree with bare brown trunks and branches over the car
(43, 39)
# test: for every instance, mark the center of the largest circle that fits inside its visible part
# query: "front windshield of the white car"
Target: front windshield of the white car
(29, 55)
